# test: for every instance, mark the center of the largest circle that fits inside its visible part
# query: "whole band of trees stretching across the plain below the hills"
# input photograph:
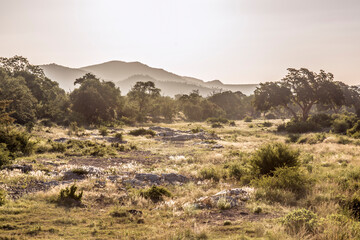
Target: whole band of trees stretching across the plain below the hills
(33, 97)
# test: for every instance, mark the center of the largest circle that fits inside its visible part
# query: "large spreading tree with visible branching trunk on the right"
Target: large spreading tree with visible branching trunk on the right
(300, 90)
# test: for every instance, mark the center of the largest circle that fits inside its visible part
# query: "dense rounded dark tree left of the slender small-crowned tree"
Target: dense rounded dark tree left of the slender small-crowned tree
(96, 101)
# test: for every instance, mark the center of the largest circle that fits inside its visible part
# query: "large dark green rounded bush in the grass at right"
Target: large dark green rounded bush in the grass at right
(272, 156)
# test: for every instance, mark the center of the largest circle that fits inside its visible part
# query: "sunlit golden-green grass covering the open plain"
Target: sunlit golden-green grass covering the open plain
(329, 162)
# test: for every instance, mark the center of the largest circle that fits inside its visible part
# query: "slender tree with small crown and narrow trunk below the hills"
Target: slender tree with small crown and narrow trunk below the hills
(143, 94)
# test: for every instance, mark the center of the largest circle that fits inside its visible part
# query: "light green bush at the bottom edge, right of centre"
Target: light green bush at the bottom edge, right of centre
(300, 219)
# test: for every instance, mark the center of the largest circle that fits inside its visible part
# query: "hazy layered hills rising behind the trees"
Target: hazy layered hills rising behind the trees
(126, 74)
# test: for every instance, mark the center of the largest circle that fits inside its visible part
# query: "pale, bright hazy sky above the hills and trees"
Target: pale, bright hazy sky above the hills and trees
(235, 41)
